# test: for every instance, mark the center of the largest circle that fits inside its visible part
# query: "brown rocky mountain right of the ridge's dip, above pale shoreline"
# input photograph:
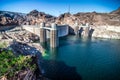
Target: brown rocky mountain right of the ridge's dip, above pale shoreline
(92, 18)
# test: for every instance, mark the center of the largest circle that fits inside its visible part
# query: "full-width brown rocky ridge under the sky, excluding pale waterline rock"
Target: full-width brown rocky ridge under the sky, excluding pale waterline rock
(33, 17)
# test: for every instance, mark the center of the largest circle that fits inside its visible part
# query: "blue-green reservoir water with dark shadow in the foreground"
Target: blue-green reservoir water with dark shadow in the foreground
(83, 59)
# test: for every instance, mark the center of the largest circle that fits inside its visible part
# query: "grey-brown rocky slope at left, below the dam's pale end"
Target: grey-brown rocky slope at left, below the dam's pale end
(19, 35)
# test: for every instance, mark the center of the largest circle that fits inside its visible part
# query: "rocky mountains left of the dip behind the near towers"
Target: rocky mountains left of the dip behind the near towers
(13, 18)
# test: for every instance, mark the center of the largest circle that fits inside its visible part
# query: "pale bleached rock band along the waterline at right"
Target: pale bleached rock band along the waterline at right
(109, 32)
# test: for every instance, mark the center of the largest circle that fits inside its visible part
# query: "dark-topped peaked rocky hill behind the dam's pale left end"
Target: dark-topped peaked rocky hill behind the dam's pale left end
(37, 17)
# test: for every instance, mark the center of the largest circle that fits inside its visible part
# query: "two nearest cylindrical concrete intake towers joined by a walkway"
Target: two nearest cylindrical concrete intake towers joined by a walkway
(53, 34)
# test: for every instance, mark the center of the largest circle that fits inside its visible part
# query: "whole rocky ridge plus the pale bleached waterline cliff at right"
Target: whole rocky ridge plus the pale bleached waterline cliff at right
(104, 24)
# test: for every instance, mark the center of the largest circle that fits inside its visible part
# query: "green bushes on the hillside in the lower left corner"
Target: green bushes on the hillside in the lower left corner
(11, 65)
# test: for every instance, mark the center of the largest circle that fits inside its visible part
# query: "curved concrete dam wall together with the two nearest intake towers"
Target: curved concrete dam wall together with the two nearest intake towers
(53, 32)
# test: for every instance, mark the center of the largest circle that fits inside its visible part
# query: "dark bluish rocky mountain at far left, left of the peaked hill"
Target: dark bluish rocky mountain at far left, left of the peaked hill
(11, 18)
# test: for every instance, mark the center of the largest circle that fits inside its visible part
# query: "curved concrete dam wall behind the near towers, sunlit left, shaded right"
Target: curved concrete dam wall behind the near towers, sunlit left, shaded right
(63, 30)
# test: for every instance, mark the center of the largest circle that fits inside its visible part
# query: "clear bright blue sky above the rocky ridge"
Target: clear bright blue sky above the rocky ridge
(57, 7)
